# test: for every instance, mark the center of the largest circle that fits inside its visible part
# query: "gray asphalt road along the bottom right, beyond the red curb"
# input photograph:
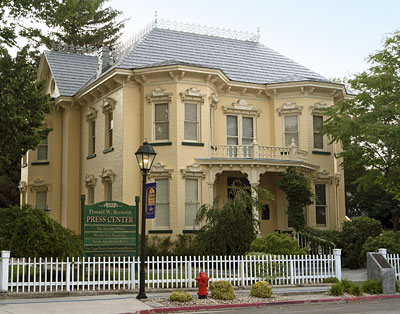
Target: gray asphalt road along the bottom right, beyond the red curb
(387, 306)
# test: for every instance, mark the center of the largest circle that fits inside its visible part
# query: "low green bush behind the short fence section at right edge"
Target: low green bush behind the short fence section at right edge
(389, 240)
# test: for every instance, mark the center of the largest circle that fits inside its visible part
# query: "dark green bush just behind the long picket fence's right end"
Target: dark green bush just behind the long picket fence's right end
(353, 236)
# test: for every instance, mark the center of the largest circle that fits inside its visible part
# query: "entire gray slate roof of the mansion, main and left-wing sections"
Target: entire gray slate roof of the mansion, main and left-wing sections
(243, 61)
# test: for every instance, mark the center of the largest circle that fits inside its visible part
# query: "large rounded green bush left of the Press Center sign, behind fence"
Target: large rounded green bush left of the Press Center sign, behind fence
(30, 232)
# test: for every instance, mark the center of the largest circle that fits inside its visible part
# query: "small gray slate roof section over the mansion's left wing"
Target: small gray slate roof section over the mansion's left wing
(71, 71)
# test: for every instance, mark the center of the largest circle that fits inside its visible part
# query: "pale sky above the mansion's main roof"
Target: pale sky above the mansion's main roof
(332, 38)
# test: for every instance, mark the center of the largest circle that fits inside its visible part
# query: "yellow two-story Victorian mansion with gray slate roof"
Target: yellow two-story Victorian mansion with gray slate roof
(217, 106)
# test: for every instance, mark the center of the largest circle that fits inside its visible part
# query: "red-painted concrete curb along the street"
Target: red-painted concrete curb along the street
(262, 304)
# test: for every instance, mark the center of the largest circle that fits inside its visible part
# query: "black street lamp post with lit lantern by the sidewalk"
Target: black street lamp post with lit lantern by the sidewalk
(145, 156)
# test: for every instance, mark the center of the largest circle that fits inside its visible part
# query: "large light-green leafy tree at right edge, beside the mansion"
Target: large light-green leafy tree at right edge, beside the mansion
(368, 125)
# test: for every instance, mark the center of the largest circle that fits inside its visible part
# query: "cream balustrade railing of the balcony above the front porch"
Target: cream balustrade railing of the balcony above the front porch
(256, 151)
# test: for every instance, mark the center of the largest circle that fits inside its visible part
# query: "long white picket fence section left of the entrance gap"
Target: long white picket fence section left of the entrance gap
(117, 273)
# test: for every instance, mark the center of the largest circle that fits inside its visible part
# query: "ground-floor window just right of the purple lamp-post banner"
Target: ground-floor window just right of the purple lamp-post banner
(162, 204)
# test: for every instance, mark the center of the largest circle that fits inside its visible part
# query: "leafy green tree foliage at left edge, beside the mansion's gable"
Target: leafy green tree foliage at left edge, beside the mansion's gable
(22, 106)
